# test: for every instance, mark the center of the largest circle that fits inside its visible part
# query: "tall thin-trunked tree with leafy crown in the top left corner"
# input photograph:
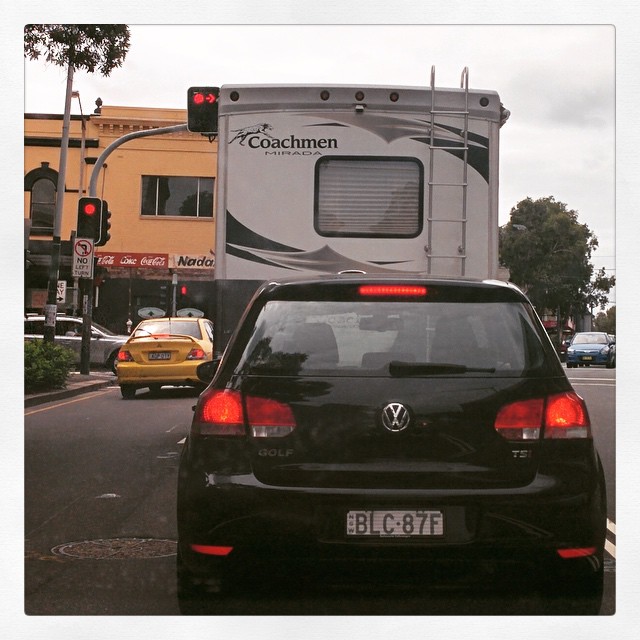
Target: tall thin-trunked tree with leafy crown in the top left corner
(74, 46)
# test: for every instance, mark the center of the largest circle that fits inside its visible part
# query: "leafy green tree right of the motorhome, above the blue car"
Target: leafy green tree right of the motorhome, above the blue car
(548, 253)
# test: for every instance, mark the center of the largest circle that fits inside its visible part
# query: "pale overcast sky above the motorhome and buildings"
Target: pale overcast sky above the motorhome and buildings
(557, 81)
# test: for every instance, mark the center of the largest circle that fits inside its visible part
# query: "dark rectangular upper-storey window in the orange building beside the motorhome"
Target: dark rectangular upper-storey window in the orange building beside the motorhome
(177, 196)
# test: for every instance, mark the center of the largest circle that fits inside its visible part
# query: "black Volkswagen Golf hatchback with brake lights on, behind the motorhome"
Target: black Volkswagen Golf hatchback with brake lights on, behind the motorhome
(356, 421)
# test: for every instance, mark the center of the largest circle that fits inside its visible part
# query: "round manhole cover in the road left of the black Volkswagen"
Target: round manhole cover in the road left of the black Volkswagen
(117, 549)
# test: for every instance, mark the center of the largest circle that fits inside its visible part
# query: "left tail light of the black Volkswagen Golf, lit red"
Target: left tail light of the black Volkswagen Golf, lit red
(221, 412)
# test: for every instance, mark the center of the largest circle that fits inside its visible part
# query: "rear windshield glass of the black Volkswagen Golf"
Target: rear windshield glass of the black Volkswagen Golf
(347, 338)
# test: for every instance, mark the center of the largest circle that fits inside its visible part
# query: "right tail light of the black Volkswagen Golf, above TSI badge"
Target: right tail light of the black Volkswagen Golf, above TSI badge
(563, 415)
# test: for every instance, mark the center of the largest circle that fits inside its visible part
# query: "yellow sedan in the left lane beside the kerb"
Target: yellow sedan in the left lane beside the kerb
(164, 351)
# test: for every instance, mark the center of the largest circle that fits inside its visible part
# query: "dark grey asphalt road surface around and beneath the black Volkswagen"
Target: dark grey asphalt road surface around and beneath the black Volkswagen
(100, 529)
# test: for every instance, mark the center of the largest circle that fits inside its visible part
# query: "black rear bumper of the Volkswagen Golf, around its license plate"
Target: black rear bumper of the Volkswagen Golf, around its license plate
(300, 526)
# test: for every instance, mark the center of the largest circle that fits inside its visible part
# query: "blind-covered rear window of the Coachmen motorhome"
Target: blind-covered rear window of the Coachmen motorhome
(369, 197)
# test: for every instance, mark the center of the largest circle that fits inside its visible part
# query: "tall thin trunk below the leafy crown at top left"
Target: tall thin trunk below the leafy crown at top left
(51, 307)
